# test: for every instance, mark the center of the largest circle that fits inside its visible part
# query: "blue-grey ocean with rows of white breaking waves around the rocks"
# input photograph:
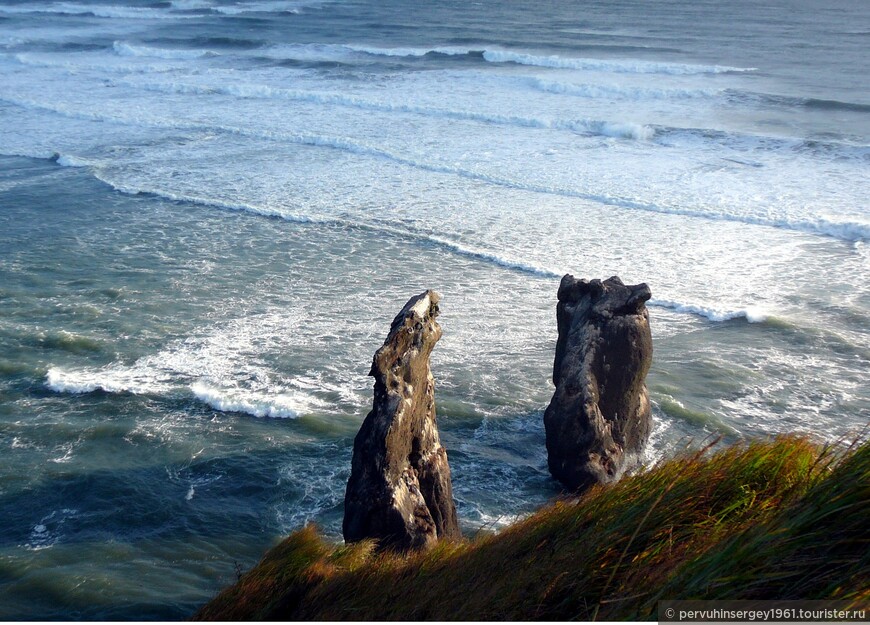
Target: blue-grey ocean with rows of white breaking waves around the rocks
(211, 210)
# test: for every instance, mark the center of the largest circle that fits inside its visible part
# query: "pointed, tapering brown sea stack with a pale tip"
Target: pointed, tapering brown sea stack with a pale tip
(399, 489)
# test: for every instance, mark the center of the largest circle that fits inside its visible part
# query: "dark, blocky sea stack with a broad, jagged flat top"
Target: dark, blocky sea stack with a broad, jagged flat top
(599, 419)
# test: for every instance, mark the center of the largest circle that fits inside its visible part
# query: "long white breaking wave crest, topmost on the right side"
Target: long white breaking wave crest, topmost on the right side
(631, 66)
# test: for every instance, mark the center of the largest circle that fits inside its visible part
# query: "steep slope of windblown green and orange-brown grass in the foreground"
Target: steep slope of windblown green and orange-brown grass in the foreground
(783, 519)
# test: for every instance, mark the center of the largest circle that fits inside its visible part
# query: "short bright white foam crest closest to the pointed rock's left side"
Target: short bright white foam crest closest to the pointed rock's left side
(259, 404)
